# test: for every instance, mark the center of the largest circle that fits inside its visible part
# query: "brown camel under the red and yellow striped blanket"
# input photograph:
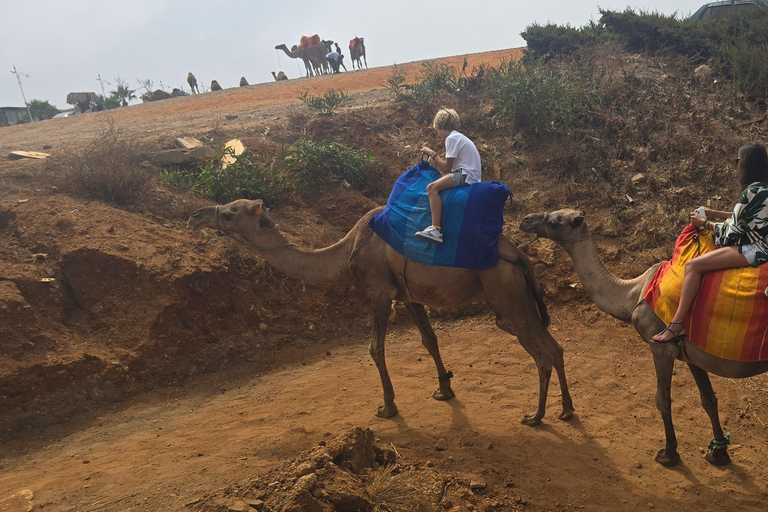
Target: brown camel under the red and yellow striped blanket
(622, 299)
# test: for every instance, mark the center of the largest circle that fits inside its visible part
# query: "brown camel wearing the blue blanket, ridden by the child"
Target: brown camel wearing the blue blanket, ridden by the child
(363, 258)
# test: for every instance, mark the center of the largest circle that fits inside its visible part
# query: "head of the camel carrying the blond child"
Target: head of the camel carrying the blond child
(242, 216)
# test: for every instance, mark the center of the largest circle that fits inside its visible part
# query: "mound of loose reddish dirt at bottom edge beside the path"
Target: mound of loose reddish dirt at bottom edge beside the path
(355, 471)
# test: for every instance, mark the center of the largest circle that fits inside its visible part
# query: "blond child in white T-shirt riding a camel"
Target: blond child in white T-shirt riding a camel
(461, 167)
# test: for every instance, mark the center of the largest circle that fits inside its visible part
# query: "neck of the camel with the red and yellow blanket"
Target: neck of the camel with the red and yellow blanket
(617, 297)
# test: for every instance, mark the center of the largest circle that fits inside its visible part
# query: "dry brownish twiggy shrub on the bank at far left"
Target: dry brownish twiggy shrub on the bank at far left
(106, 169)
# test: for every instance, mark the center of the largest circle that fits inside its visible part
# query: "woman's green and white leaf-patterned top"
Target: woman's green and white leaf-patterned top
(748, 224)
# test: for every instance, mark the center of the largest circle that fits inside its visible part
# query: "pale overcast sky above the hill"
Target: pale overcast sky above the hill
(65, 46)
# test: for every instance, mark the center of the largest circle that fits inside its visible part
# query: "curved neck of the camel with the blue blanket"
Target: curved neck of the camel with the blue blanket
(327, 265)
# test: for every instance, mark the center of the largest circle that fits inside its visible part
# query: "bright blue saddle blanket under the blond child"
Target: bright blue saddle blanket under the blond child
(471, 223)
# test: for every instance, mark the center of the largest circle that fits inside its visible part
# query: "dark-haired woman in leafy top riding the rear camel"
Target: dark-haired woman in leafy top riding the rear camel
(741, 239)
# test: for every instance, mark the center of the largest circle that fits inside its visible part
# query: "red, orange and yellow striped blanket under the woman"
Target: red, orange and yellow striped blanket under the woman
(729, 316)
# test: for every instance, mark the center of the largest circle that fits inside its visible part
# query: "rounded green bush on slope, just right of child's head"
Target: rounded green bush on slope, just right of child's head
(535, 99)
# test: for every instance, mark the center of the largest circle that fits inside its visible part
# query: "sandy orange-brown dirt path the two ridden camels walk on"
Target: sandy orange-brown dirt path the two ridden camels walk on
(163, 450)
